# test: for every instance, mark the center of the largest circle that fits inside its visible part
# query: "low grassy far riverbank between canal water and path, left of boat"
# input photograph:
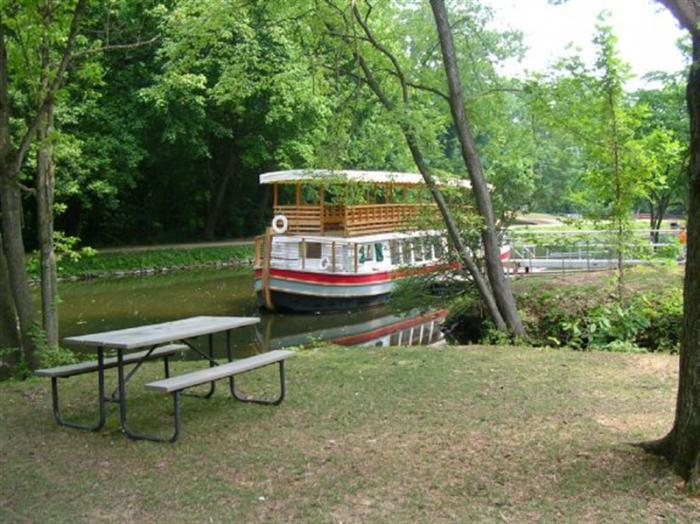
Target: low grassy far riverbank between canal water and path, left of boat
(147, 261)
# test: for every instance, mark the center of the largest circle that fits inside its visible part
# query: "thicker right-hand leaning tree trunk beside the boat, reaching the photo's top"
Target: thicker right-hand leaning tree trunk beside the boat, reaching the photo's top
(492, 251)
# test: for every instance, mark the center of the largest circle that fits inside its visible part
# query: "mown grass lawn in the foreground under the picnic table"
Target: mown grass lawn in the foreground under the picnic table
(387, 434)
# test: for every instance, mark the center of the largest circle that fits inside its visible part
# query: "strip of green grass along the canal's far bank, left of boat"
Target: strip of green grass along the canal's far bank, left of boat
(132, 261)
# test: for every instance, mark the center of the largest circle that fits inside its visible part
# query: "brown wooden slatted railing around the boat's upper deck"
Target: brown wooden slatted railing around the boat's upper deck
(351, 221)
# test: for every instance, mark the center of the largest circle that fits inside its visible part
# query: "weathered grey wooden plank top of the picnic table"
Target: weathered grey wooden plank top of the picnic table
(150, 335)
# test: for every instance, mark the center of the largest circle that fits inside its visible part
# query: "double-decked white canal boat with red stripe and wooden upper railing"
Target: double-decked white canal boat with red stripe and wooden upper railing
(341, 240)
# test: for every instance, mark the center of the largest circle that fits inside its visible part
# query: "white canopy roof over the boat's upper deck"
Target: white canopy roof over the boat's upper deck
(340, 176)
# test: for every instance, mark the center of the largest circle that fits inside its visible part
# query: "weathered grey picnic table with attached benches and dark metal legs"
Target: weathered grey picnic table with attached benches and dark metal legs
(163, 340)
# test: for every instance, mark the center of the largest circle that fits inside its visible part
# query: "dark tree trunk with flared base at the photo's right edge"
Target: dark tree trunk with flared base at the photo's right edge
(682, 444)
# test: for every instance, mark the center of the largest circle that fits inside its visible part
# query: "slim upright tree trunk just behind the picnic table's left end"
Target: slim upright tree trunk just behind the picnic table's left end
(44, 197)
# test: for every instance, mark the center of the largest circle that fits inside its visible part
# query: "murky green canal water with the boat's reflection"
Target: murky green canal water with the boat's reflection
(107, 304)
